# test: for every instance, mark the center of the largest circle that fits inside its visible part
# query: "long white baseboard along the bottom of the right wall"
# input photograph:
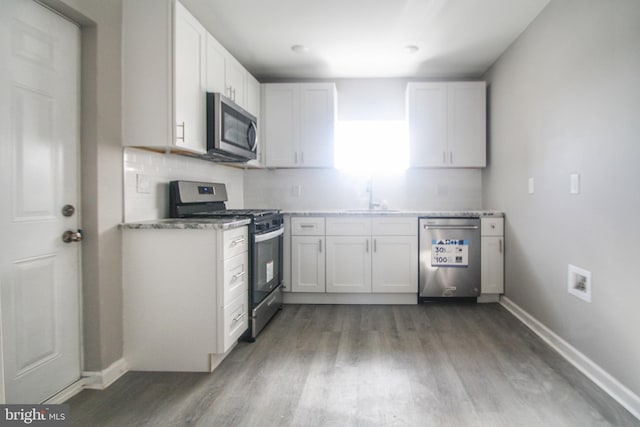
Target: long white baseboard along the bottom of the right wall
(594, 372)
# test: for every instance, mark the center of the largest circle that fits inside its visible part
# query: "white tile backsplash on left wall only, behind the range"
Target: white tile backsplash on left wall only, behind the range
(147, 175)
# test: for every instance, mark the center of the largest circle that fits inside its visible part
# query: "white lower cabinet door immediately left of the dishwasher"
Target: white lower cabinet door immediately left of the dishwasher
(395, 264)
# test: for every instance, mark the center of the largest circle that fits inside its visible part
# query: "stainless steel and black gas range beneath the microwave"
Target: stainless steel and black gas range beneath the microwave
(190, 199)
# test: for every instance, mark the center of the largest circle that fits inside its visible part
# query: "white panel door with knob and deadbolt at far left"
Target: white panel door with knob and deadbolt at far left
(39, 273)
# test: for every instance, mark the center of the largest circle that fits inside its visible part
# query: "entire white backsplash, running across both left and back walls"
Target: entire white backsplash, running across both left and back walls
(147, 176)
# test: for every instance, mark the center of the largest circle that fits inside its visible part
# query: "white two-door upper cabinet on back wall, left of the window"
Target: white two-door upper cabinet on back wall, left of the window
(298, 124)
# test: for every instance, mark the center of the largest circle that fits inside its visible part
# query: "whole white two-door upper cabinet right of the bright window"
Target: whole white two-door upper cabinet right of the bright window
(447, 124)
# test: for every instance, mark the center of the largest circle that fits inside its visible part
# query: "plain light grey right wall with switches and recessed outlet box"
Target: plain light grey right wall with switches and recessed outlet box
(565, 98)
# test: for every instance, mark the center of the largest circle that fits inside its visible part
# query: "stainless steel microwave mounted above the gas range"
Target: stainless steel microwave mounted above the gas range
(232, 132)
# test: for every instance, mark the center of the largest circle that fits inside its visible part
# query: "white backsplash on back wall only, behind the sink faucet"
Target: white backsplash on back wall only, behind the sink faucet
(328, 189)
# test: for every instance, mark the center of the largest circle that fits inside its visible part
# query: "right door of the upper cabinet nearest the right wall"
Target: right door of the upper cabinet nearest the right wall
(467, 124)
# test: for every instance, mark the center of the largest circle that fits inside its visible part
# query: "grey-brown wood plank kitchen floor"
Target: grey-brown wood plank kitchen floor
(344, 365)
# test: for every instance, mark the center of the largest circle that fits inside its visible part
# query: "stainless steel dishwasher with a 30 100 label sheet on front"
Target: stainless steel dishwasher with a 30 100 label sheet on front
(449, 259)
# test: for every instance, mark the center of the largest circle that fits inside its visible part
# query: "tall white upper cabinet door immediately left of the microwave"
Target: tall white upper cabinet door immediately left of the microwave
(190, 69)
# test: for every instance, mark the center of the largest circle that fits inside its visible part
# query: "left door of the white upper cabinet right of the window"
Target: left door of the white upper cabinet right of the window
(427, 113)
